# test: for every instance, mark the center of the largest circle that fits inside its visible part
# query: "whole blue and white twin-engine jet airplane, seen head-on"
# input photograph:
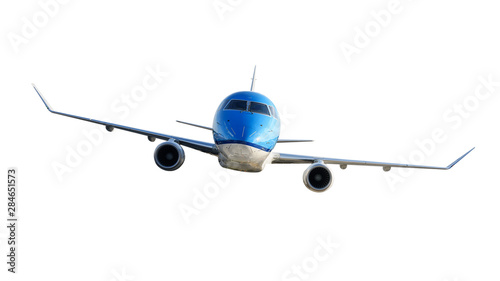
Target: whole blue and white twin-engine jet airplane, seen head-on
(245, 129)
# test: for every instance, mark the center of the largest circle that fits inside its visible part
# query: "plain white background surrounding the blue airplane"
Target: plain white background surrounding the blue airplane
(116, 216)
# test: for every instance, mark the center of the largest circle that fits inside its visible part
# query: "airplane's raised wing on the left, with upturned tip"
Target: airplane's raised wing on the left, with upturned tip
(198, 145)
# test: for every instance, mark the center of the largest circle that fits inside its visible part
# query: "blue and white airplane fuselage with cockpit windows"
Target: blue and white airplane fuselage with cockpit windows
(246, 128)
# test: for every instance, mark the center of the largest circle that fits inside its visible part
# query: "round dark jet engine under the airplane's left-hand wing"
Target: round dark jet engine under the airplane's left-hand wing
(169, 156)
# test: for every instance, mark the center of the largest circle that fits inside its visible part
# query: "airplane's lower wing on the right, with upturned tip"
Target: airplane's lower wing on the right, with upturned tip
(282, 158)
